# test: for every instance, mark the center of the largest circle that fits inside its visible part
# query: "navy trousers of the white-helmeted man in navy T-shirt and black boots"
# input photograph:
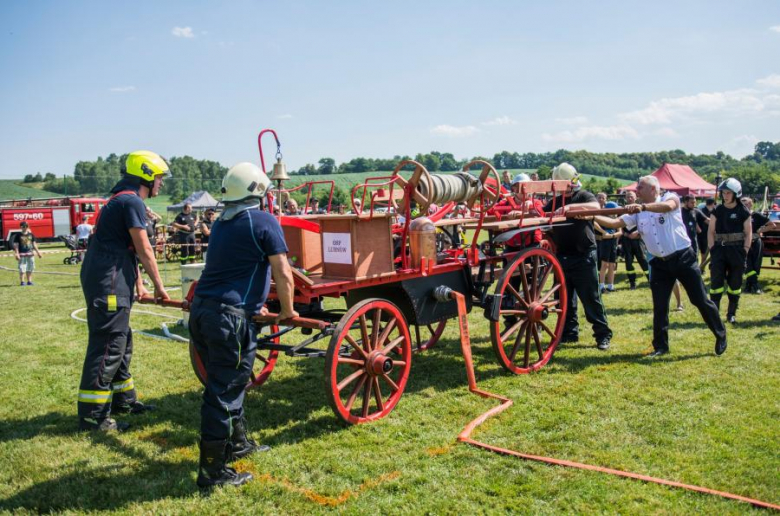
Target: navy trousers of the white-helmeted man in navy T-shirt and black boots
(226, 341)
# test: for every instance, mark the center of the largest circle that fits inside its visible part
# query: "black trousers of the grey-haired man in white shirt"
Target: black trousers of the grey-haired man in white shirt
(682, 266)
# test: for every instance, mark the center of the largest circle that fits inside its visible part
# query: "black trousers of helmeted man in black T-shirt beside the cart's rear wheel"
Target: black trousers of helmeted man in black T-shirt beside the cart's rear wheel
(582, 280)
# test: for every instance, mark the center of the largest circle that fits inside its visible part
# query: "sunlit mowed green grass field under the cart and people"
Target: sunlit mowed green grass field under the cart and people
(690, 417)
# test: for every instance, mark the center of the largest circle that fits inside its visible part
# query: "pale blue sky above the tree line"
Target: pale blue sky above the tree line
(345, 79)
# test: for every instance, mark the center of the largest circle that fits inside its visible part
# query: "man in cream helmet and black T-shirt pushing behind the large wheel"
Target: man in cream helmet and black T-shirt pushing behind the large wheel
(576, 250)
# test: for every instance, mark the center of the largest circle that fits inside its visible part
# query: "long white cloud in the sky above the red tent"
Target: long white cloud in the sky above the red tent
(665, 111)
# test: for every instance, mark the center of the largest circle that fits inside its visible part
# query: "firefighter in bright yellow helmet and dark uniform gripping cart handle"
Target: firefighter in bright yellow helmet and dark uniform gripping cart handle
(108, 275)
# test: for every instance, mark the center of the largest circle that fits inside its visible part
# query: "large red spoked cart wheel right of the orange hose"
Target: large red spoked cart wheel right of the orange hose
(533, 310)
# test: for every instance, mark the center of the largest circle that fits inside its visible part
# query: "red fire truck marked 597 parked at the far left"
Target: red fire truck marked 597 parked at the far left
(48, 218)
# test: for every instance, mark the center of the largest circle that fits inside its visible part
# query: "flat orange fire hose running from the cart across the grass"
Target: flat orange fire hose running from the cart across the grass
(465, 434)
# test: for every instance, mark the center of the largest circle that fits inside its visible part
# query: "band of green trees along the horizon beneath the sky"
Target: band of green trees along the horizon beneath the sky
(755, 171)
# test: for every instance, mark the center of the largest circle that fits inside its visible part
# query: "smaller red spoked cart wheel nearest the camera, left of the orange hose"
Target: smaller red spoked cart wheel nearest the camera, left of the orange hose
(368, 361)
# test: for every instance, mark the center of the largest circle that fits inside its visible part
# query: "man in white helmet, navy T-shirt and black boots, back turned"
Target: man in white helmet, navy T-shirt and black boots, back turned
(246, 246)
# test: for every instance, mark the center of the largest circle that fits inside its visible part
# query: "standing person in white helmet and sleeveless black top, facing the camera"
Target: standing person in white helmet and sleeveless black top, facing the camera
(729, 239)
